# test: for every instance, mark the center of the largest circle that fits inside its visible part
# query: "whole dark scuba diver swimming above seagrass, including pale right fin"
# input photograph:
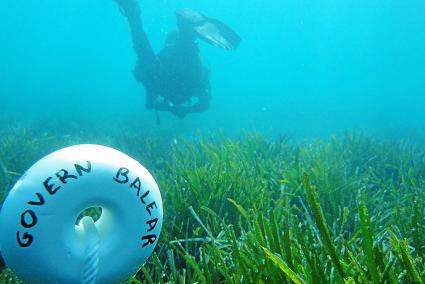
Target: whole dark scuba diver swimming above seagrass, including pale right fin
(175, 79)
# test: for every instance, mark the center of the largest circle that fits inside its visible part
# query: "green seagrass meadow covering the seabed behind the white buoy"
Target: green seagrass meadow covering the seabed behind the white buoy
(346, 209)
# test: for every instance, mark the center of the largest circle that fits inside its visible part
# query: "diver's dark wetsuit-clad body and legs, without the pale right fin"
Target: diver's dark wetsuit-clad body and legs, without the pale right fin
(174, 76)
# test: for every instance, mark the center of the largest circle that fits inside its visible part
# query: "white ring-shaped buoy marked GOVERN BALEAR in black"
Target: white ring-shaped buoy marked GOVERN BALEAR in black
(39, 238)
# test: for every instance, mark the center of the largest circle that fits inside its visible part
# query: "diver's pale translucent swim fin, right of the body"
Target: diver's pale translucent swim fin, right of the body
(208, 29)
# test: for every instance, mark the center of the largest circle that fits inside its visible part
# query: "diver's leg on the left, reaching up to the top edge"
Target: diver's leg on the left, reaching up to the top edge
(147, 67)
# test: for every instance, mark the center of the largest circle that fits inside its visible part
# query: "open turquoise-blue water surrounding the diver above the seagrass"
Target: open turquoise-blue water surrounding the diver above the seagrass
(307, 68)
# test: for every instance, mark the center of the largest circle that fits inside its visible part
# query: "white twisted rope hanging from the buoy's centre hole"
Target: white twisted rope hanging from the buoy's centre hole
(91, 262)
